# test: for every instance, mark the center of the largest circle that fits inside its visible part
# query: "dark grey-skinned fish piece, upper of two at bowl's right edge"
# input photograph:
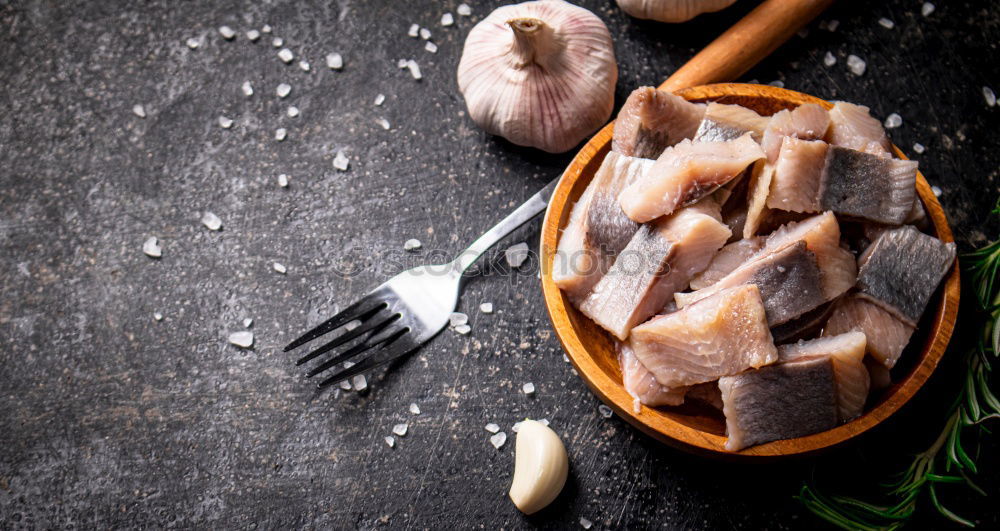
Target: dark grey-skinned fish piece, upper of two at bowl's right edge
(868, 186)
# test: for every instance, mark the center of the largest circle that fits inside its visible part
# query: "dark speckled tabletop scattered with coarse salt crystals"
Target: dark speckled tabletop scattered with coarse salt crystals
(111, 418)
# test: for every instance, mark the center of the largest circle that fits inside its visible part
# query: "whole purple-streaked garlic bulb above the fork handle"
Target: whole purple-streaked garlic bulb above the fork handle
(539, 74)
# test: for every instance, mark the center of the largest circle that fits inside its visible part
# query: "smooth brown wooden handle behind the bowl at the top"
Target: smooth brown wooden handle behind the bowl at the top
(748, 42)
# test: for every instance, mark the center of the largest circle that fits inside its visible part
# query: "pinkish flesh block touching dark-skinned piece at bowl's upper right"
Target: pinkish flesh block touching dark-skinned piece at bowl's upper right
(797, 175)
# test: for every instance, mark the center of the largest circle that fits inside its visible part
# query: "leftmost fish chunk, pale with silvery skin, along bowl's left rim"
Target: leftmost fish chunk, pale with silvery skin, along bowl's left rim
(597, 229)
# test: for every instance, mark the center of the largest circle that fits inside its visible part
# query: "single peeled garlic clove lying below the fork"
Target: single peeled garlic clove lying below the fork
(540, 467)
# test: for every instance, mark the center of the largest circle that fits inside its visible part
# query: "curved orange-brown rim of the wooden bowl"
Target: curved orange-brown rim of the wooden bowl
(674, 433)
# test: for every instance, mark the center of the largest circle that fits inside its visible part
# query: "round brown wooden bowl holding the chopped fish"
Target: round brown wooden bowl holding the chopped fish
(701, 429)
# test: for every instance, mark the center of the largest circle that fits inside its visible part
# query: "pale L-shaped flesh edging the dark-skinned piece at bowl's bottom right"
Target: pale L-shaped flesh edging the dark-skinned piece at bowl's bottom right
(847, 351)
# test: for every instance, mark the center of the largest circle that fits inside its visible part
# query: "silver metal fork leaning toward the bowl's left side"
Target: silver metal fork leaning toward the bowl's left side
(407, 310)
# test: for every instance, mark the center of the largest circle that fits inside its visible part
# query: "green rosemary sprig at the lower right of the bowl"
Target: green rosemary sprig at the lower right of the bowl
(946, 461)
